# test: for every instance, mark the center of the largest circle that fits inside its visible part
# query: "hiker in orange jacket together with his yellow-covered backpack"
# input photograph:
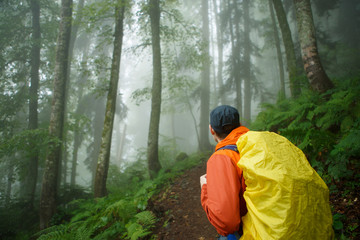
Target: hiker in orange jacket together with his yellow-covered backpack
(263, 187)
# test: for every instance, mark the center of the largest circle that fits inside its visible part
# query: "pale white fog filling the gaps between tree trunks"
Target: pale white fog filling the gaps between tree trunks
(181, 49)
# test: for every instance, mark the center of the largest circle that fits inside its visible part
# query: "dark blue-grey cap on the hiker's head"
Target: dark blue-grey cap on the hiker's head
(222, 116)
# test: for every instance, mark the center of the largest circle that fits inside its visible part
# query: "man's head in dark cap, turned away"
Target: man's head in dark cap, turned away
(223, 119)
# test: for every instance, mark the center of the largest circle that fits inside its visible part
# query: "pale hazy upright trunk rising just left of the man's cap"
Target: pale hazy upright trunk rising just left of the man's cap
(205, 81)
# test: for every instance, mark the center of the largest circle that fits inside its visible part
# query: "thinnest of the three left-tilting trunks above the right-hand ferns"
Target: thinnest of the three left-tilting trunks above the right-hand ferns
(282, 94)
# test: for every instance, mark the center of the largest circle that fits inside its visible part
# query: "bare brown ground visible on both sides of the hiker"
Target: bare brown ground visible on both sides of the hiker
(182, 217)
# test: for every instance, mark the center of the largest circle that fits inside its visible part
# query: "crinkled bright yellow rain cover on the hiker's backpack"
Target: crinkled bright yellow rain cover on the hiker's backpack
(285, 197)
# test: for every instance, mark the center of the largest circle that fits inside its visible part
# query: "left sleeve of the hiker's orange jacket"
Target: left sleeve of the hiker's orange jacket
(220, 196)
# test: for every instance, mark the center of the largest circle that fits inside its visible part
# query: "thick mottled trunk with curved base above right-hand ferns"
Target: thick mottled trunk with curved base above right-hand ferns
(319, 81)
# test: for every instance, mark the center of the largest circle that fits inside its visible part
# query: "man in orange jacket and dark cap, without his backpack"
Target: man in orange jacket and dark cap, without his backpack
(223, 185)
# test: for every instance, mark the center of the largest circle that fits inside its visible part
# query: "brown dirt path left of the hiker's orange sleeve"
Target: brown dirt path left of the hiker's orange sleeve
(182, 214)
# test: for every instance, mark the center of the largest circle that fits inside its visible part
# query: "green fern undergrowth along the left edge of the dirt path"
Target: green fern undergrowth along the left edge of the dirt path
(123, 214)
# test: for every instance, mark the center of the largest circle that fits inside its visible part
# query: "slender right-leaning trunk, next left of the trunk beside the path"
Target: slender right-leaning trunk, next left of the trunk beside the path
(104, 156)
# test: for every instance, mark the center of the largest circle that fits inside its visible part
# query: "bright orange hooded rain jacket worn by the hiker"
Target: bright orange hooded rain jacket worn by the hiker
(222, 195)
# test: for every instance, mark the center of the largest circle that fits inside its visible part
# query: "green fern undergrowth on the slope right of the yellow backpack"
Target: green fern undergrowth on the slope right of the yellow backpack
(327, 128)
